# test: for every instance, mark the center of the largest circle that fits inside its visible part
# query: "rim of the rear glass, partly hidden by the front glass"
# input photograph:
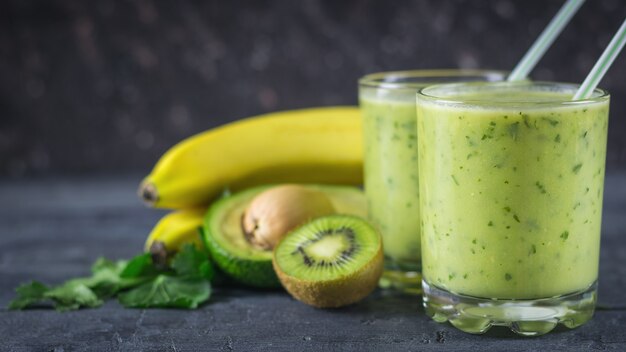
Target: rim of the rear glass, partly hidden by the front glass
(390, 79)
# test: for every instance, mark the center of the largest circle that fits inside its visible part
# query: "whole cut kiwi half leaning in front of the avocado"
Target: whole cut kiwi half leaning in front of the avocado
(331, 261)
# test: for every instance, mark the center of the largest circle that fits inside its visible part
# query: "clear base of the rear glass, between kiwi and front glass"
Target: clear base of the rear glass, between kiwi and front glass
(405, 278)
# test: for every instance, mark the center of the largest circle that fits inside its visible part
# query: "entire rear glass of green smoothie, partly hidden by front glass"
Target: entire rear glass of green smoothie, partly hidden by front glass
(387, 102)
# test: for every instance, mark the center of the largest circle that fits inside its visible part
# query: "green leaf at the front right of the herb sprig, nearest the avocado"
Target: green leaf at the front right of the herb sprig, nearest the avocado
(167, 292)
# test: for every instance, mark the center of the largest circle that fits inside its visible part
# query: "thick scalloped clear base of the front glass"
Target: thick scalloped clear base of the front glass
(531, 317)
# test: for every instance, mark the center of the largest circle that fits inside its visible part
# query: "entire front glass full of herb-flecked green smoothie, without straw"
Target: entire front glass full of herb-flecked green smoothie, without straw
(511, 185)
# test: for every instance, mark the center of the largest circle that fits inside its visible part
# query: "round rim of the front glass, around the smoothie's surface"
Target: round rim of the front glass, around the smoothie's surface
(427, 94)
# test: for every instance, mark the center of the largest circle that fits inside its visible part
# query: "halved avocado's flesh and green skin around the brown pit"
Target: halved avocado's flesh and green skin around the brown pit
(232, 252)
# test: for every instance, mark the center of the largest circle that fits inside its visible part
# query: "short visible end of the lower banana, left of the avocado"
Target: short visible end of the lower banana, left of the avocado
(176, 229)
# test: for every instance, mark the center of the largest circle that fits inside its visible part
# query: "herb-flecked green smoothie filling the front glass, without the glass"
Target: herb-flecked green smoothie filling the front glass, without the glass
(532, 245)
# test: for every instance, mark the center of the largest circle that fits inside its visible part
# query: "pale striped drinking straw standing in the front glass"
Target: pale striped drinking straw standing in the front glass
(602, 65)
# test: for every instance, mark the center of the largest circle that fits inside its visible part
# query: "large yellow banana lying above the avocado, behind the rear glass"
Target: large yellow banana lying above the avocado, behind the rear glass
(317, 145)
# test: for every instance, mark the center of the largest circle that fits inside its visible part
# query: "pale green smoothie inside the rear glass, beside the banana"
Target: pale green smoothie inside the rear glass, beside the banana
(391, 177)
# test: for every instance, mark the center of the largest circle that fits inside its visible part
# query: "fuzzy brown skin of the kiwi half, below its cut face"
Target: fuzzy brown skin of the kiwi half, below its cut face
(338, 292)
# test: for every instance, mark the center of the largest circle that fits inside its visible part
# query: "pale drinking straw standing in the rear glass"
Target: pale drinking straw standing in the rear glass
(545, 40)
